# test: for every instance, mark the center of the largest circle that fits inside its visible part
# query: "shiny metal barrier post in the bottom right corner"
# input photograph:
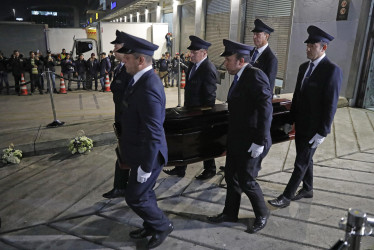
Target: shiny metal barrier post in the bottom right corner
(356, 225)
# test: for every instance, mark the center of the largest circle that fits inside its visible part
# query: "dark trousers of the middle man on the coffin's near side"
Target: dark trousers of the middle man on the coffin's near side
(241, 171)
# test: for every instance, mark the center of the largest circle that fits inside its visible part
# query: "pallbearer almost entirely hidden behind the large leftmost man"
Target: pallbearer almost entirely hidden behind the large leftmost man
(120, 81)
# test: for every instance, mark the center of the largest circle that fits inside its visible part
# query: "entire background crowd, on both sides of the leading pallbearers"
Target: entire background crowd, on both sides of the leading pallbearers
(81, 70)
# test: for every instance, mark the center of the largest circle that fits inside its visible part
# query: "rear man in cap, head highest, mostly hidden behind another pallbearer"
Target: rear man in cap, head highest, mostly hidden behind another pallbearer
(262, 56)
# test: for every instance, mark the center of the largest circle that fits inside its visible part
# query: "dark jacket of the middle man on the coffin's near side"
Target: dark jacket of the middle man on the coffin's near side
(250, 111)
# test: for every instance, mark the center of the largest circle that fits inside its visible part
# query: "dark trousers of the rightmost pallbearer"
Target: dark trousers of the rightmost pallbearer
(303, 167)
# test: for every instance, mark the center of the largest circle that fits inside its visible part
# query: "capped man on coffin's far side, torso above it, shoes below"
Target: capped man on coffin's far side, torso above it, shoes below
(200, 90)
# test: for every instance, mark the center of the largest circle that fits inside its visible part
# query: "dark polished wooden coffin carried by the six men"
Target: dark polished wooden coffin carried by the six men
(197, 134)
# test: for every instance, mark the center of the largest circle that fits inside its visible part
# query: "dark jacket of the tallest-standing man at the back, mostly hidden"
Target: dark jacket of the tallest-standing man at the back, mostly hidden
(268, 63)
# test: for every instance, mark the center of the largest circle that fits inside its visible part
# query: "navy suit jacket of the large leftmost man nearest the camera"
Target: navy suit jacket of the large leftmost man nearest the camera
(142, 133)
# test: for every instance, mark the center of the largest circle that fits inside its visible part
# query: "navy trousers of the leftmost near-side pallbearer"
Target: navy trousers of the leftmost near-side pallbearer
(141, 198)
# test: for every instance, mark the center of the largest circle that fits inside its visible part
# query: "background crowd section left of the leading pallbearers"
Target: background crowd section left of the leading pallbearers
(83, 71)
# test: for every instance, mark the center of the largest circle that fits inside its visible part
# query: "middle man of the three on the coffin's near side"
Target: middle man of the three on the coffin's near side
(248, 139)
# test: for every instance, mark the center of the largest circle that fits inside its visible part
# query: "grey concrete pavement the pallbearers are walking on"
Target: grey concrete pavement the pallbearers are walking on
(52, 200)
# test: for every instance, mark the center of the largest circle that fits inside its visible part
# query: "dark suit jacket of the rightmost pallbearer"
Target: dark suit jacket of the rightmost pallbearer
(314, 106)
